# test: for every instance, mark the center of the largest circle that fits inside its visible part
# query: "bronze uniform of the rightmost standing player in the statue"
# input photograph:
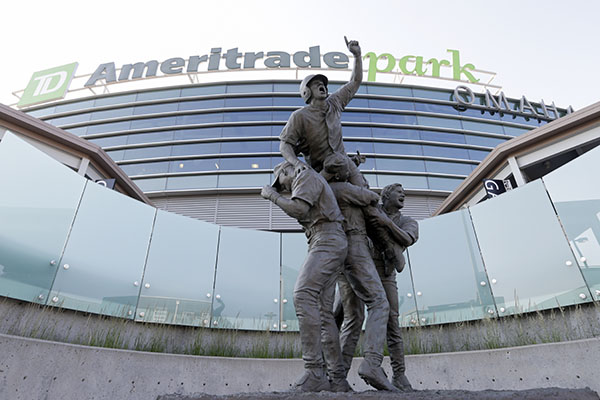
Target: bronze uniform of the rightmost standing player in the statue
(354, 315)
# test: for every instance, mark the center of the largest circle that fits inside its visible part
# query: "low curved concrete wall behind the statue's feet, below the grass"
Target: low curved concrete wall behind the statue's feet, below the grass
(37, 369)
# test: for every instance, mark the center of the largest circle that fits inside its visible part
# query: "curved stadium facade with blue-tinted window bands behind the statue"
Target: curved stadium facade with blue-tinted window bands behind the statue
(205, 150)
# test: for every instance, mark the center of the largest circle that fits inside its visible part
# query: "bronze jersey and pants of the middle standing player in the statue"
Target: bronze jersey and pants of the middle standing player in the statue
(360, 279)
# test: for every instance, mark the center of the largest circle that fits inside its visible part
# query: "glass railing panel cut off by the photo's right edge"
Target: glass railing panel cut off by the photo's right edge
(575, 193)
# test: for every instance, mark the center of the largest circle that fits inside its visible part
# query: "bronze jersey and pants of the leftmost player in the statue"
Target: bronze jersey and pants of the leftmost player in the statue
(315, 286)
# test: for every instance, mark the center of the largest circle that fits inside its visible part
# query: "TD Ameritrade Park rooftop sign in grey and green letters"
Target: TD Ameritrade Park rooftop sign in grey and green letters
(52, 84)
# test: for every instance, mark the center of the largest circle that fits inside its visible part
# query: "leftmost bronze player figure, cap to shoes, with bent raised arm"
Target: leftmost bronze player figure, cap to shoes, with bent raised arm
(313, 204)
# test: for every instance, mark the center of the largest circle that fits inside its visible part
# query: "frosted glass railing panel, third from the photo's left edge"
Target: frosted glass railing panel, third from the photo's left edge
(180, 271)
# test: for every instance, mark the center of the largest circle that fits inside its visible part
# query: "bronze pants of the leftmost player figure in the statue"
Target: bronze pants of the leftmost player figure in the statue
(313, 298)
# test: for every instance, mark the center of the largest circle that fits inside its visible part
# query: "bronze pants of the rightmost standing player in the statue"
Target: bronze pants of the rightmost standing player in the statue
(354, 316)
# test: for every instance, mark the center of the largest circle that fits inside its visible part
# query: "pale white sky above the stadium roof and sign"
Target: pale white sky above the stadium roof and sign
(541, 49)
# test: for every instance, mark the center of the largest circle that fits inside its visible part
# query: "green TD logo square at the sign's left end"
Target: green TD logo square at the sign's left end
(50, 84)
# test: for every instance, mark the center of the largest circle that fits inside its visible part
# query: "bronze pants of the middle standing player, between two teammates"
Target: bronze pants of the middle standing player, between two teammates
(360, 284)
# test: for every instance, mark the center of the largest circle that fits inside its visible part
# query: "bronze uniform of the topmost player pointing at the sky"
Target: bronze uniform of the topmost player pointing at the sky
(316, 131)
